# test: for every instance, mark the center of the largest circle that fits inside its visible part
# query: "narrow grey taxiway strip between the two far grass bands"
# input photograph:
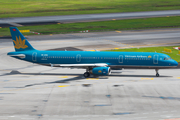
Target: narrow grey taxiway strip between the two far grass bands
(84, 18)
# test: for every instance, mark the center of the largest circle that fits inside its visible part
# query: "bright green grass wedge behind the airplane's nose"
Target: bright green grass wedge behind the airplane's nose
(174, 55)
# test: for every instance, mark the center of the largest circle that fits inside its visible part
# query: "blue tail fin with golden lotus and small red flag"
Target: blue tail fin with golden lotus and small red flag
(19, 41)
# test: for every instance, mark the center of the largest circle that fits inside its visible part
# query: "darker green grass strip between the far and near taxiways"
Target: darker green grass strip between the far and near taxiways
(131, 24)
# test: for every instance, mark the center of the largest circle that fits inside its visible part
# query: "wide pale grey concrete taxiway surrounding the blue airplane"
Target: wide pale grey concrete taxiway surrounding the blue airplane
(30, 91)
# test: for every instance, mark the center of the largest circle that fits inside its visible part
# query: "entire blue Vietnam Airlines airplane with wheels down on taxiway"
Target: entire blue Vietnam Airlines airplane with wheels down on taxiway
(95, 62)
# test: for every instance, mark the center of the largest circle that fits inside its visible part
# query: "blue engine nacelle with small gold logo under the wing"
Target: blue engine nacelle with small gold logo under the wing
(101, 70)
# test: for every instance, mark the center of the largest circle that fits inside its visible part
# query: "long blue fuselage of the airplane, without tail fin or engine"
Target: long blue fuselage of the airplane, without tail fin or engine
(112, 59)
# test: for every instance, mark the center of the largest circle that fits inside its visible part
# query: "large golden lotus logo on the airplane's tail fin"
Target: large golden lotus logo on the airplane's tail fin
(19, 43)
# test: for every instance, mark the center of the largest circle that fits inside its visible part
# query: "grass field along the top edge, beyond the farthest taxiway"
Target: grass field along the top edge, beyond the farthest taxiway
(27, 8)
